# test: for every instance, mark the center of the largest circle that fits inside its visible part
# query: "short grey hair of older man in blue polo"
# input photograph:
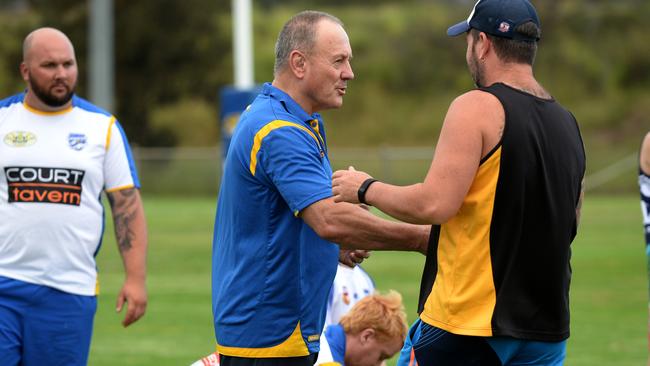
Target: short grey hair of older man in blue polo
(299, 33)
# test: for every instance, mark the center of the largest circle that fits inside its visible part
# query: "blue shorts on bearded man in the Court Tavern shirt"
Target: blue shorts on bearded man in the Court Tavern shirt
(40, 325)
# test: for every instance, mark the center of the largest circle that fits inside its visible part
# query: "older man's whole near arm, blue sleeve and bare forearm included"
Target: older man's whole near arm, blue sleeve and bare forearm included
(287, 159)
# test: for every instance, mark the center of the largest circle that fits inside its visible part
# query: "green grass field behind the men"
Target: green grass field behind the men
(608, 293)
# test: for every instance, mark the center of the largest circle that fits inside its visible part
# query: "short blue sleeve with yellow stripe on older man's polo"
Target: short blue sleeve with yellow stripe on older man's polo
(295, 163)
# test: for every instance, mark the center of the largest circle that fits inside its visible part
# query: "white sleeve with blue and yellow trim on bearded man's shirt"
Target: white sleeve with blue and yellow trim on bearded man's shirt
(119, 166)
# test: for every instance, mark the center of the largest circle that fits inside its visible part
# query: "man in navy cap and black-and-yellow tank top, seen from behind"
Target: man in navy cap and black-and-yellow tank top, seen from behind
(503, 194)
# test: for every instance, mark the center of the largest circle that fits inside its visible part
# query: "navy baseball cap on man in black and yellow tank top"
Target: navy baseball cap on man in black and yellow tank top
(498, 18)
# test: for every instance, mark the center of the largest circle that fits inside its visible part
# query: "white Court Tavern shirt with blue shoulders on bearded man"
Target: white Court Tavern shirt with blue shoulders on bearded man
(53, 169)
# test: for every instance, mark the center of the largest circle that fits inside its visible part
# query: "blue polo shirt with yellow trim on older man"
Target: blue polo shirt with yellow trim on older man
(271, 273)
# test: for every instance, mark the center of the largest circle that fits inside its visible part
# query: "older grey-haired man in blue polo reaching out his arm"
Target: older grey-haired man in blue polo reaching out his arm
(274, 257)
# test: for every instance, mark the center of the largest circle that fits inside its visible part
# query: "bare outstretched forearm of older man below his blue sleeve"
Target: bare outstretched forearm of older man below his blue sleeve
(352, 227)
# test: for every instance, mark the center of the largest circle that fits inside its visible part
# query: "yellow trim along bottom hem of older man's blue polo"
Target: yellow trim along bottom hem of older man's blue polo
(294, 346)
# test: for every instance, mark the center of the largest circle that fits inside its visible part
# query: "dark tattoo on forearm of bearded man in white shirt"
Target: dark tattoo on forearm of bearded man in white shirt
(123, 205)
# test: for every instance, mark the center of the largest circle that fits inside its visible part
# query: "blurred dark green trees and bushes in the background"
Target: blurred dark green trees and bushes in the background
(173, 57)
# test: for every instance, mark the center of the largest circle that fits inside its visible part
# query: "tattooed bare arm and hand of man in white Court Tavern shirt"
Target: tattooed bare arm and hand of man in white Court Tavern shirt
(131, 238)
